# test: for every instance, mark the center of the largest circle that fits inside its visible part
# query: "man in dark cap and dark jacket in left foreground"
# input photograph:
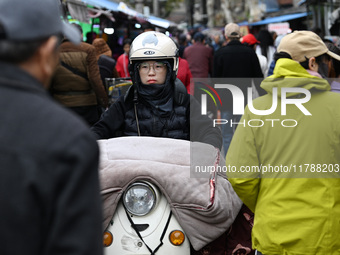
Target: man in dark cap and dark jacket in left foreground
(49, 188)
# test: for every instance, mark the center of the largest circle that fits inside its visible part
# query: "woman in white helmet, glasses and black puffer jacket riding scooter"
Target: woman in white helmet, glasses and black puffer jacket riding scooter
(157, 104)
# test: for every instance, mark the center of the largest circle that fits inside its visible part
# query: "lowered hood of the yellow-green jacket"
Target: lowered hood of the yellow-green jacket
(288, 74)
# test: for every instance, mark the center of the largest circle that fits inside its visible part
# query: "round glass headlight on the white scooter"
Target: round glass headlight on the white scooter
(139, 199)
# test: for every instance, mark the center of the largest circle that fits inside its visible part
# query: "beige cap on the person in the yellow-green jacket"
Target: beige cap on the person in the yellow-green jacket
(304, 44)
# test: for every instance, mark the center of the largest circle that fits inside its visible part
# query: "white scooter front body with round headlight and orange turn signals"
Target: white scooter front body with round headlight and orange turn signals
(143, 224)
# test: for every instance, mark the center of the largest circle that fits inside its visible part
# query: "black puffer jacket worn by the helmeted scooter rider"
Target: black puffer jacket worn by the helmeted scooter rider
(184, 122)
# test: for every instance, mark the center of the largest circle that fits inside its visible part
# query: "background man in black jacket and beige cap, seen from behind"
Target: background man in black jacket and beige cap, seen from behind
(235, 61)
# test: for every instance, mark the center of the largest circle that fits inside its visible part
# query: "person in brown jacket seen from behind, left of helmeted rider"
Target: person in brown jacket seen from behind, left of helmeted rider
(77, 83)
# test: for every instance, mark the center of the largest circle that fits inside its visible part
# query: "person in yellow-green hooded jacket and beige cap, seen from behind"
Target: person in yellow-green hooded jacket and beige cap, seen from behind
(285, 168)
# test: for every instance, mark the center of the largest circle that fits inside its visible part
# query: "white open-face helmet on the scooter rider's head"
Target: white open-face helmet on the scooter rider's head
(154, 45)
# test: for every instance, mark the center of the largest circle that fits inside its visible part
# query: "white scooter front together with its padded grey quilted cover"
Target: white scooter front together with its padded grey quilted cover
(154, 200)
